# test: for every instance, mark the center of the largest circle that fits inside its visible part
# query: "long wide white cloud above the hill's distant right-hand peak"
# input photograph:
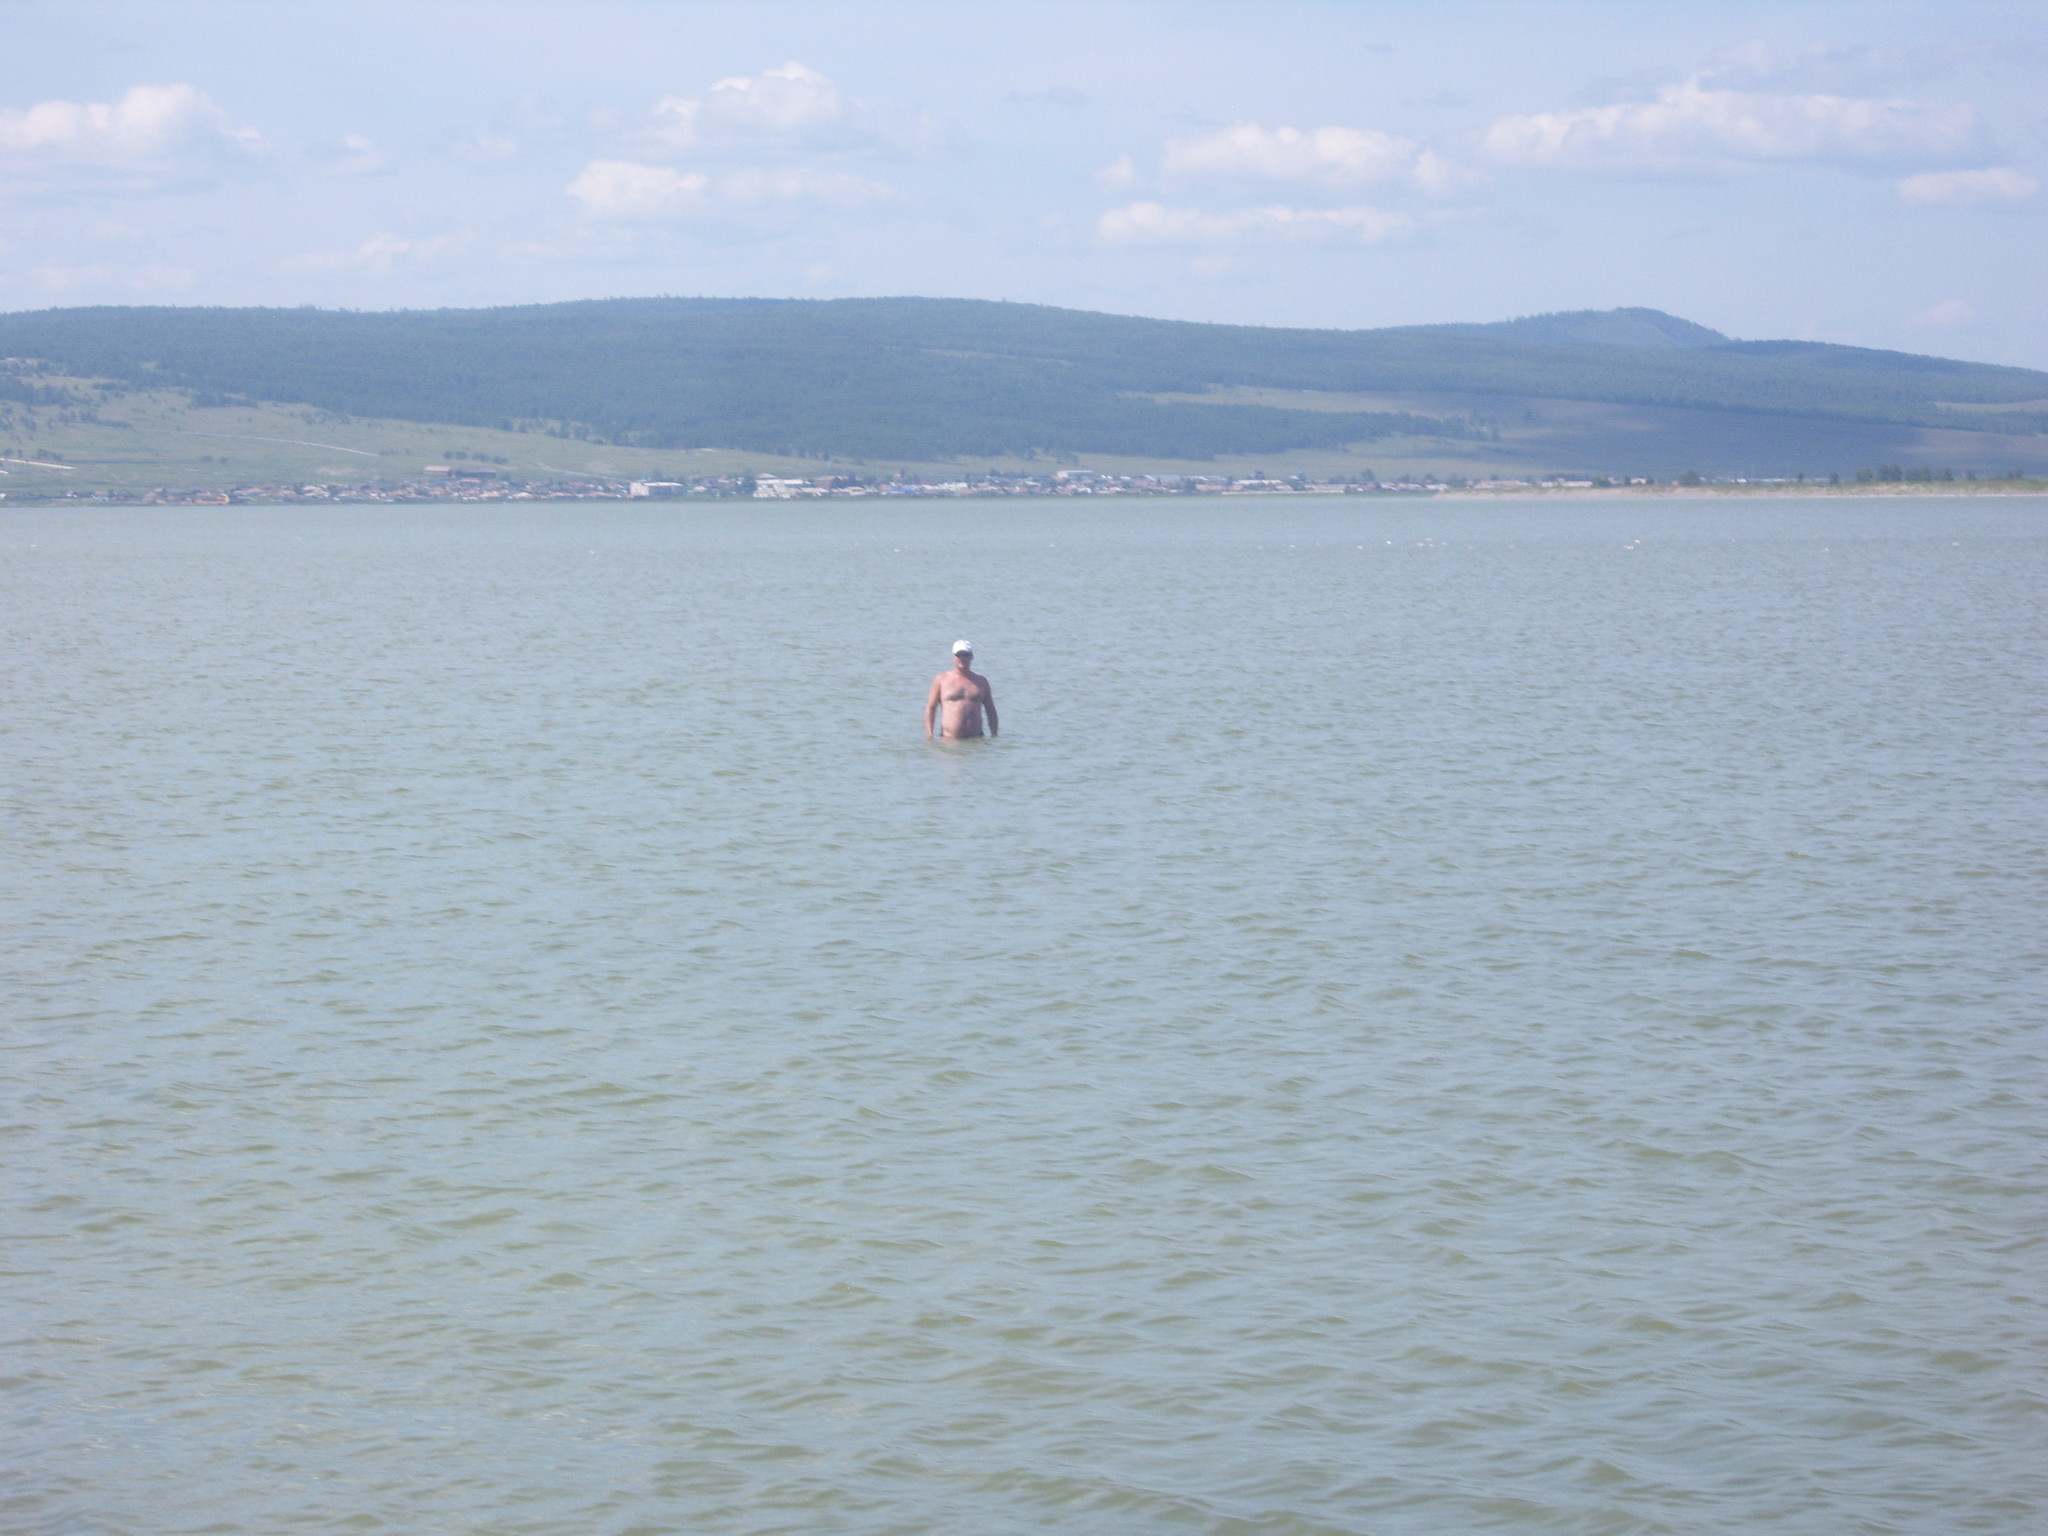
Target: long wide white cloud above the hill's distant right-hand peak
(1693, 126)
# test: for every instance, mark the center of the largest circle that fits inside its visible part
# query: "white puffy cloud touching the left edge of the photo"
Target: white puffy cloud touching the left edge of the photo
(151, 132)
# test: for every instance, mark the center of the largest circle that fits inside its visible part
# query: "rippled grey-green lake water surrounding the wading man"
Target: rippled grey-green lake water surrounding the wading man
(1433, 1019)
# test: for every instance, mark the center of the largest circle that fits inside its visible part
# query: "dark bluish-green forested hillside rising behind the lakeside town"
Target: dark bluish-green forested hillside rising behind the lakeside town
(943, 378)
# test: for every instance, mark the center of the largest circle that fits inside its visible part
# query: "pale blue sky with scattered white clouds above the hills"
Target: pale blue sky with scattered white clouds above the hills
(1850, 173)
